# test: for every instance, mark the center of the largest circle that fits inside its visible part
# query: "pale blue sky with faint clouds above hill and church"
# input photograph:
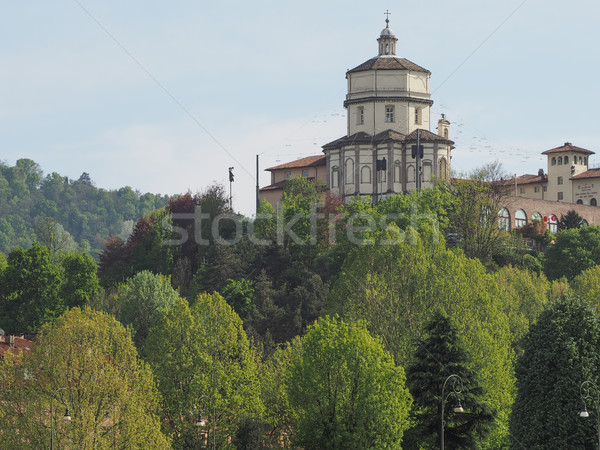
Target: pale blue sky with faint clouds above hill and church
(165, 96)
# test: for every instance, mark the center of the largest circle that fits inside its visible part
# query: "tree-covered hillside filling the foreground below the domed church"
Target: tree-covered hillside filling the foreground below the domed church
(321, 325)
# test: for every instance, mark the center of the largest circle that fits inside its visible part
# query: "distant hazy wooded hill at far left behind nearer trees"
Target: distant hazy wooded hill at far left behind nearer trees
(89, 214)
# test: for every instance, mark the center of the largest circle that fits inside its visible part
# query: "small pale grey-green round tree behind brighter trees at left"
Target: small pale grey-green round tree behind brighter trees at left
(141, 299)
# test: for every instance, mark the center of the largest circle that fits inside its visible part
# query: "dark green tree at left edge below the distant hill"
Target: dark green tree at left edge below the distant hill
(29, 290)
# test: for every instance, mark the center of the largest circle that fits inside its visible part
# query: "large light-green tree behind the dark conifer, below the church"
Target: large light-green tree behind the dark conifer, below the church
(397, 284)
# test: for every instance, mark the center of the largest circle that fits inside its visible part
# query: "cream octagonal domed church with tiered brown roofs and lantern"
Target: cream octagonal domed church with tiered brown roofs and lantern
(388, 148)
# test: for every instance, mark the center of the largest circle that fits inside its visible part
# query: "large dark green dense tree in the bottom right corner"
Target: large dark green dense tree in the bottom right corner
(560, 351)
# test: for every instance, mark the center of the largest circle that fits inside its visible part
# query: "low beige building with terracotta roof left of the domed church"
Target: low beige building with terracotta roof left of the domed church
(312, 167)
